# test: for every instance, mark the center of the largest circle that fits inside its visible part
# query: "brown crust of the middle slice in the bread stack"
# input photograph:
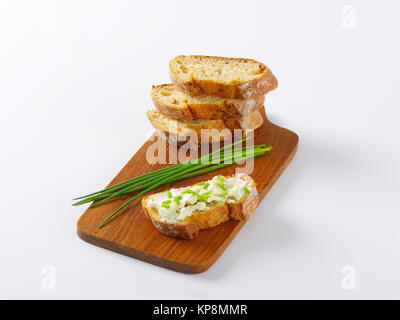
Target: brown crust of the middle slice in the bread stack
(222, 109)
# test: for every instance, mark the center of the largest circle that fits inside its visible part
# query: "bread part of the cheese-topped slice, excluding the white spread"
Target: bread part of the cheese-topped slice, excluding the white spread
(216, 213)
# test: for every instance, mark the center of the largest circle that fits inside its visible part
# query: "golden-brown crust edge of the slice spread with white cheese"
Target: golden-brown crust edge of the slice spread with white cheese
(190, 227)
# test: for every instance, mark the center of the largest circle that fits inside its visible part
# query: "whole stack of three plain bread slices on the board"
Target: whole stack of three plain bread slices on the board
(212, 95)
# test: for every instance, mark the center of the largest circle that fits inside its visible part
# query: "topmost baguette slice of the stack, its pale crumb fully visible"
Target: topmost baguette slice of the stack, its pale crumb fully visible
(233, 78)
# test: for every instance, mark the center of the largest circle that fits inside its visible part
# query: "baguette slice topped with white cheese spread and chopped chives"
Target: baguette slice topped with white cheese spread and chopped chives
(184, 220)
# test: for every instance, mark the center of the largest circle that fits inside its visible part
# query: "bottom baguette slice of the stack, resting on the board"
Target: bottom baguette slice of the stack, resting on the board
(218, 129)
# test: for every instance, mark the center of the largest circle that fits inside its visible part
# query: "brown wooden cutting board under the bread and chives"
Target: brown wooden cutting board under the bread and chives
(132, 234)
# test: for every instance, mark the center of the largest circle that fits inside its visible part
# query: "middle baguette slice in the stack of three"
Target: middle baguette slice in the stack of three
(177, 105)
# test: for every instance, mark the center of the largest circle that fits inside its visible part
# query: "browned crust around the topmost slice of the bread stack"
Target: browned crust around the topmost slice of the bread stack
(234, 90)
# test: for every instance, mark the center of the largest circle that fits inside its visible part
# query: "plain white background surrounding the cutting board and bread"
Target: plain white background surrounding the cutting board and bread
(75, 78)
